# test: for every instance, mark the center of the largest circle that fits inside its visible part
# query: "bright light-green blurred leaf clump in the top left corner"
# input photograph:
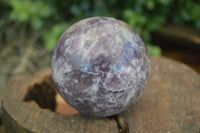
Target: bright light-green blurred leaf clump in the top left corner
(31, 11)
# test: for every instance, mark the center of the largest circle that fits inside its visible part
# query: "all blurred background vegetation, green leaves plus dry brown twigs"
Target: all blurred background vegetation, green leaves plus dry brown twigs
(29, 29)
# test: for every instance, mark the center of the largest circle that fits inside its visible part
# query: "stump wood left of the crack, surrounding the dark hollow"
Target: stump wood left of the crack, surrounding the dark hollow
(20, 116)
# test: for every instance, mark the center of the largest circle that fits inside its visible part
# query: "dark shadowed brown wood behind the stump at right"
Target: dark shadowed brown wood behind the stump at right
(181, 43)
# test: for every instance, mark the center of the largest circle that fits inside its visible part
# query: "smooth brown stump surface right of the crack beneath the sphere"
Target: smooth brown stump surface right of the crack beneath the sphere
(170, 103)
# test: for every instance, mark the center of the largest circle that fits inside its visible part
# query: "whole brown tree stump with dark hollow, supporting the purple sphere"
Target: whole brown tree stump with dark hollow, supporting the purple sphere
(170, 104)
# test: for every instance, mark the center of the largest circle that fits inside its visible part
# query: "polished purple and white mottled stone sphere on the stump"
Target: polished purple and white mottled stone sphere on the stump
(100, 66)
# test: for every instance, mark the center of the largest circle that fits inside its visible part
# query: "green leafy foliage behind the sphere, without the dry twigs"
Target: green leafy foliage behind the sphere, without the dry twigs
(145, 16)
